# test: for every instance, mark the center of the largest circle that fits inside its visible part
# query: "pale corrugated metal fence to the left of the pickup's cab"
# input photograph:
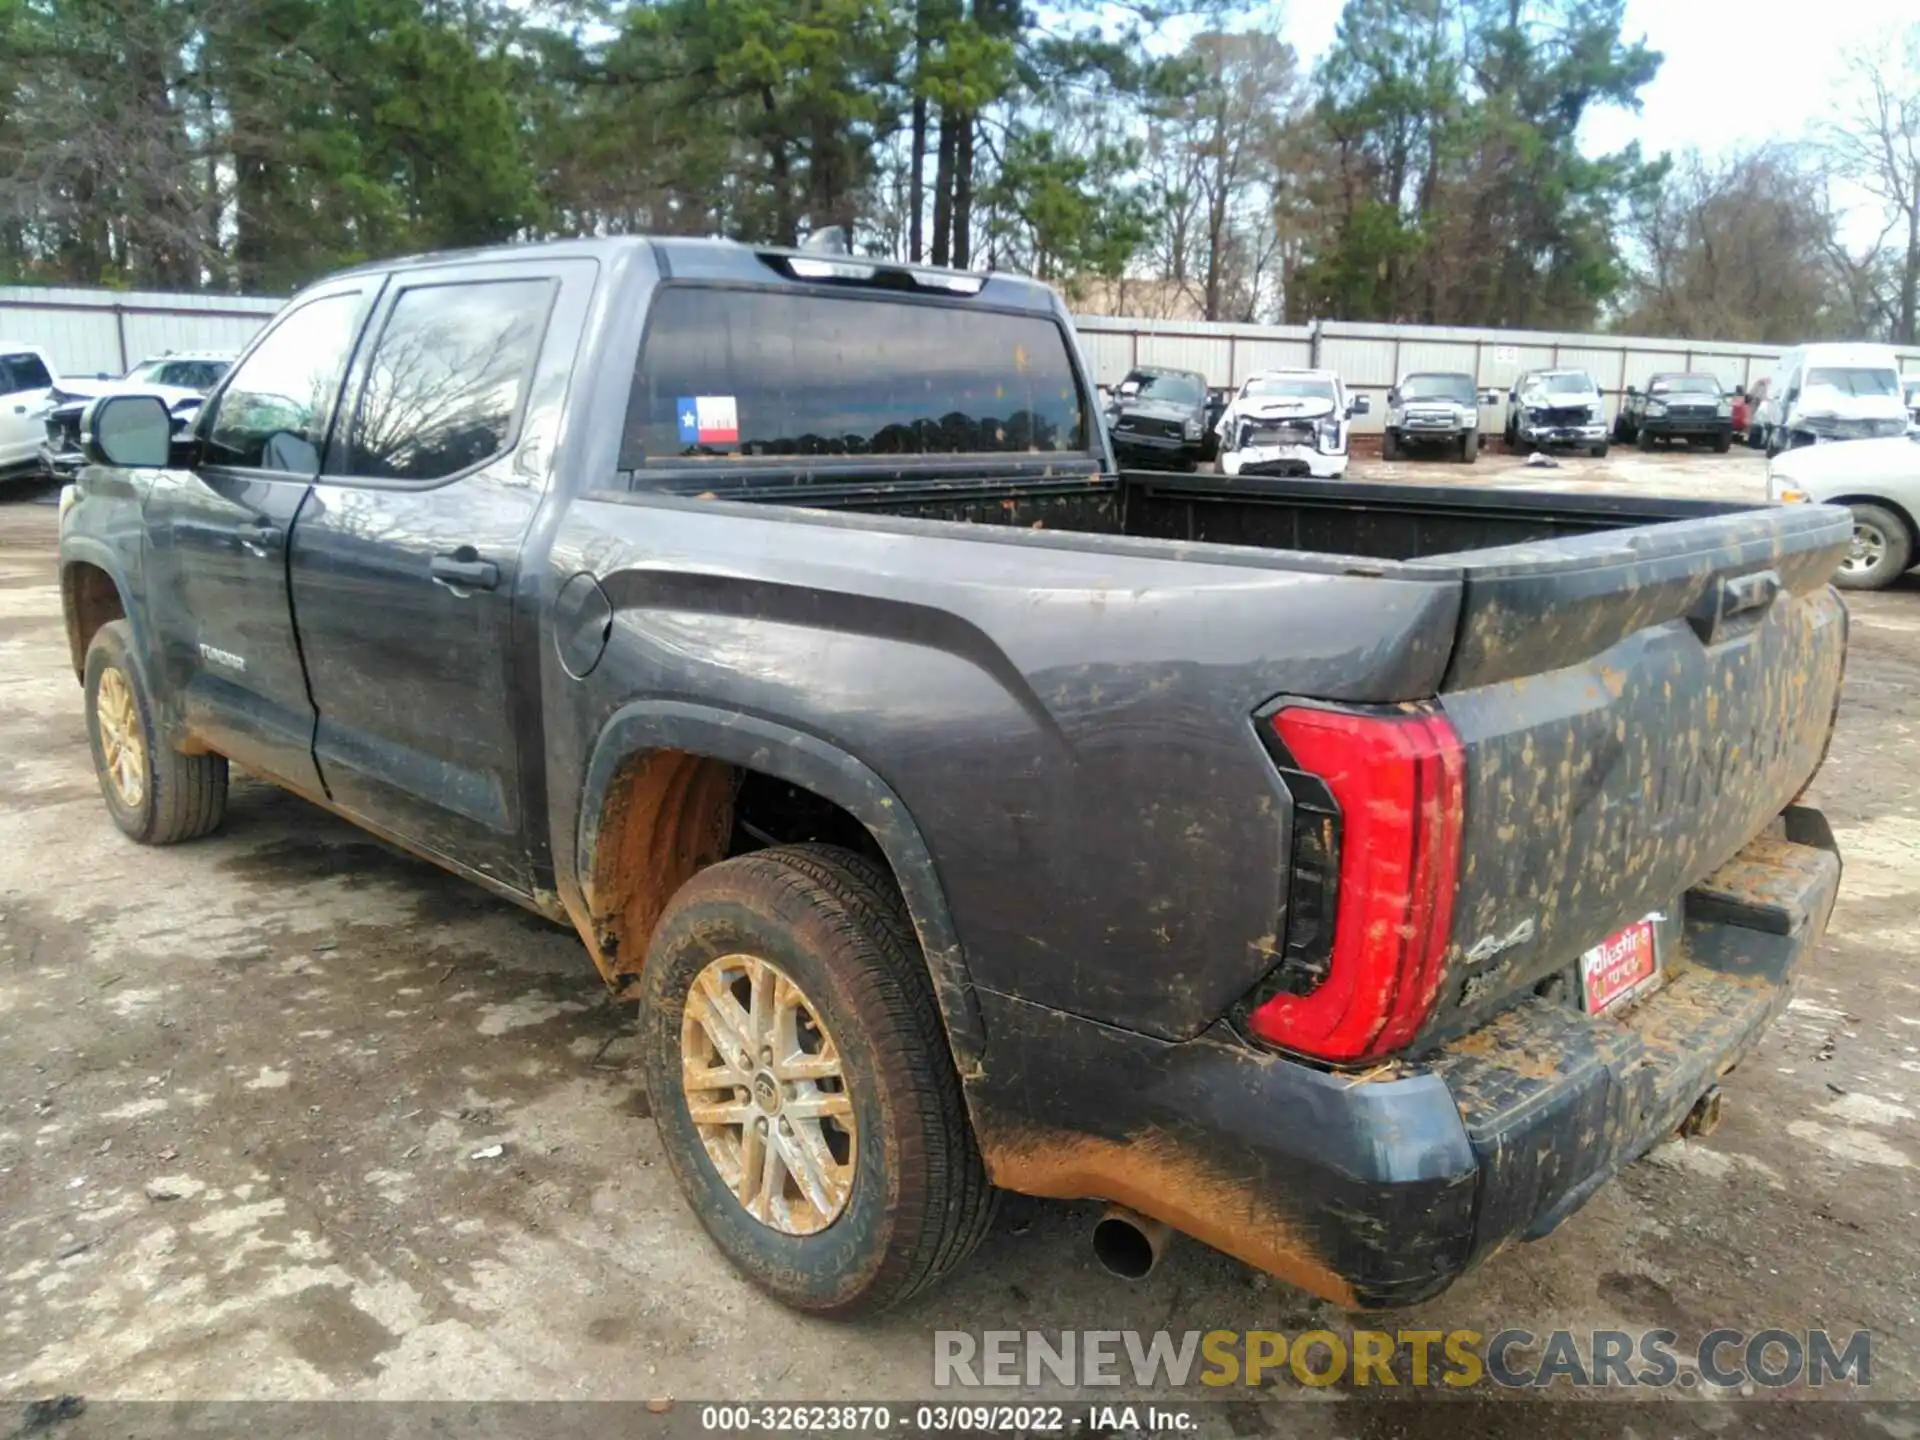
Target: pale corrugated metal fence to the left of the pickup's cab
(108, 331)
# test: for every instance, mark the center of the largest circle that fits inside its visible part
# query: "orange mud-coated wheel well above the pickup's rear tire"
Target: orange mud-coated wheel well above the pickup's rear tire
(667, 817)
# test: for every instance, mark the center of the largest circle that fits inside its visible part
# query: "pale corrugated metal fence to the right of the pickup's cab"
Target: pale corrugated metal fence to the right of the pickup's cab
(1370, 358)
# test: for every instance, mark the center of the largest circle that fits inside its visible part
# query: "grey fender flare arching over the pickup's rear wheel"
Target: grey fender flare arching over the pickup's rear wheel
(815, 765)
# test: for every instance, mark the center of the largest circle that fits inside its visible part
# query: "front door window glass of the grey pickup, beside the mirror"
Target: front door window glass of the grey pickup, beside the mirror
(274, 416)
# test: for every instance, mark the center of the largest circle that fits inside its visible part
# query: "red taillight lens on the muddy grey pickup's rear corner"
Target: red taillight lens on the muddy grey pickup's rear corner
(1401, 788)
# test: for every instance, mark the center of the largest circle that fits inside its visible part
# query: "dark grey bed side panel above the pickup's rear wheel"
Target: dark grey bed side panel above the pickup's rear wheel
(1067, 719)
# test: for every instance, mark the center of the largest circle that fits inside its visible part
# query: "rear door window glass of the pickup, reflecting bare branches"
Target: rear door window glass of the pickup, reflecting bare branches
(448, 379)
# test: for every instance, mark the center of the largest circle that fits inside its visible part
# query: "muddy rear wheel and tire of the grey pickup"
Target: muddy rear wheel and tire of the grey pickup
(805, 961)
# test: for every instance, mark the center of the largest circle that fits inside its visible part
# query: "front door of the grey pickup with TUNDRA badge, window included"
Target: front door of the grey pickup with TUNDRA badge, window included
(218, 540)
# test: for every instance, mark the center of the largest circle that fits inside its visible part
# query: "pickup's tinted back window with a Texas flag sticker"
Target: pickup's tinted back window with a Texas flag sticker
(769, 373)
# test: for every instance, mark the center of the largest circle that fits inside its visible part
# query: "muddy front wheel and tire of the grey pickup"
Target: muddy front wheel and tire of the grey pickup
(153, 792)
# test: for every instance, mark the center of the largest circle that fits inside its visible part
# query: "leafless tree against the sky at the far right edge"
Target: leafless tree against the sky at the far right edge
(1877, 145)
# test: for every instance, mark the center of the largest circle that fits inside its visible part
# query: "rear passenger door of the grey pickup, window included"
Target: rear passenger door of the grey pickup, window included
(416, 619)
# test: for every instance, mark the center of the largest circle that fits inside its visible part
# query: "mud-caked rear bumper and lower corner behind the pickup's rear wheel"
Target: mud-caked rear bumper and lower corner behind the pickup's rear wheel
(1381, 1189)
